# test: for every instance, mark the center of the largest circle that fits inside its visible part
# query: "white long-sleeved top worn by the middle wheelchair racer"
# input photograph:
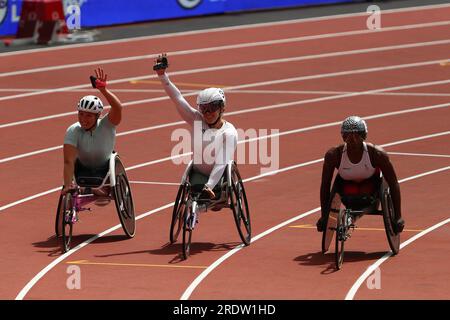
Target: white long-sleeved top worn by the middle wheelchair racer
(212, 148)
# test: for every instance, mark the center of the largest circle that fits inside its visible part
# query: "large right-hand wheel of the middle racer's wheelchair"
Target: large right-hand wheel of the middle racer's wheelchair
(239, 206)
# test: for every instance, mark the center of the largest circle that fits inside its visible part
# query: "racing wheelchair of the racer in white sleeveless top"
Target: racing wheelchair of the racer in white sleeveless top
(345, 210)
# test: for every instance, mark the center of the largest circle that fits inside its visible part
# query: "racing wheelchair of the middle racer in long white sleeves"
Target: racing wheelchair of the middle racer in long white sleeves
(230, 193)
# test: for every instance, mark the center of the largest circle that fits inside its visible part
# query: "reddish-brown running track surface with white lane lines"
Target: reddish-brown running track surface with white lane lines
(324, 70)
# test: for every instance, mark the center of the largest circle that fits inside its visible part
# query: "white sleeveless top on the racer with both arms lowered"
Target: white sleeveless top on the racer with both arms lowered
(356, 171)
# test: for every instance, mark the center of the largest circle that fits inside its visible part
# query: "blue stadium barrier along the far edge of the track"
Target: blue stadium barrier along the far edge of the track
(96, 13)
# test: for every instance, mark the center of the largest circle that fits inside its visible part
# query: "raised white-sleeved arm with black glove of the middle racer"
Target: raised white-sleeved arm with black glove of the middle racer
(186, 112)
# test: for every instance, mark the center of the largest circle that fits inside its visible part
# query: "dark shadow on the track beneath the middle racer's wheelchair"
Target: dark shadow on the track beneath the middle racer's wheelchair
(176, 249)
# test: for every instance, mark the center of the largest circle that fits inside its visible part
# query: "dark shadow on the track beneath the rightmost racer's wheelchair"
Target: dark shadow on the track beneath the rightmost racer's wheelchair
(327, 259)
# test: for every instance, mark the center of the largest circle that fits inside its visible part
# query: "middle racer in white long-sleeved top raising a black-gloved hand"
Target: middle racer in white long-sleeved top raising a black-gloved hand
(206, 122)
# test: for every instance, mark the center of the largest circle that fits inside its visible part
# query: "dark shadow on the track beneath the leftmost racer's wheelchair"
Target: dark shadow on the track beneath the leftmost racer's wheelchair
(53, 244)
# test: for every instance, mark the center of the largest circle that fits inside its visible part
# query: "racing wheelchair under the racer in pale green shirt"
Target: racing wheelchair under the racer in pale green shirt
(99, 190)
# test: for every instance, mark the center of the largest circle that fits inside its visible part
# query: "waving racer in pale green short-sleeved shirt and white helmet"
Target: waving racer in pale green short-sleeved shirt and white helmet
(89, 142)
